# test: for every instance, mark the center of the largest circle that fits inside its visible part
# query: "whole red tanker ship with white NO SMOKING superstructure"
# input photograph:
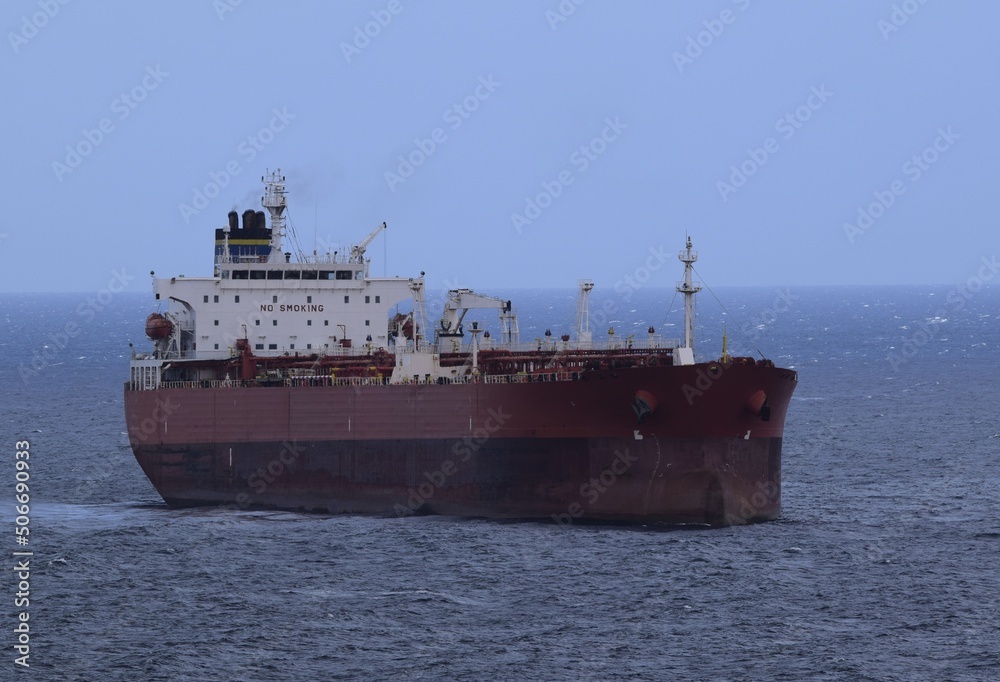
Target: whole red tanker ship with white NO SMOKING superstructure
(303, 382)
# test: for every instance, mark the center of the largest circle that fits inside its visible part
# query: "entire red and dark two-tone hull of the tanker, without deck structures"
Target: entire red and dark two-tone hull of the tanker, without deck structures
(707, 449)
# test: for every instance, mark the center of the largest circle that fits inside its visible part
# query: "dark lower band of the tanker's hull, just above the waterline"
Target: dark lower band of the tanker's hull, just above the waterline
(712, 480)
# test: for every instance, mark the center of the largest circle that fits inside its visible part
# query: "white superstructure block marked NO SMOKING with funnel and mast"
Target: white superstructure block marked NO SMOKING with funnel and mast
(324, 303)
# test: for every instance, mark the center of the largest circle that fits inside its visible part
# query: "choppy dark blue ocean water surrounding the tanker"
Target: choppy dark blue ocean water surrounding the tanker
(883, 566)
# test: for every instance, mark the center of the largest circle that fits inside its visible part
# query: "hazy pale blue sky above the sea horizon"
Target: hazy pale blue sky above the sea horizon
(506, 144)
